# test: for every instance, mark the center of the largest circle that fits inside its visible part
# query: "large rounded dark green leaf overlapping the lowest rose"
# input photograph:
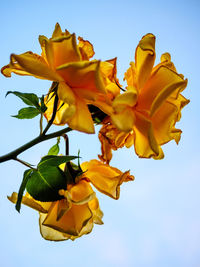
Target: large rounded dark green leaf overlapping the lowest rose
(45, 183)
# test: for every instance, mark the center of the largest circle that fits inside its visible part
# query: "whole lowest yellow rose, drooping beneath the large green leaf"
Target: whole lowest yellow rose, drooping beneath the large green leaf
(75, 214)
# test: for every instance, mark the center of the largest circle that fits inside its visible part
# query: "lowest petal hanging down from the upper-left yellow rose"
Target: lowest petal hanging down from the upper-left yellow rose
(81, 120)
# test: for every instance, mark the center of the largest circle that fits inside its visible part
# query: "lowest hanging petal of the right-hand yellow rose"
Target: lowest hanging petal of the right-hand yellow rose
(145, 142)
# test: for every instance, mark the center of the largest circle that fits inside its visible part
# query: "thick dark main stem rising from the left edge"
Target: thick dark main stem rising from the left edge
(35, 141)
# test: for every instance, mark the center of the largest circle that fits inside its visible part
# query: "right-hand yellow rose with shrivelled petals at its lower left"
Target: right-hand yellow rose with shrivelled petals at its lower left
(147, 112)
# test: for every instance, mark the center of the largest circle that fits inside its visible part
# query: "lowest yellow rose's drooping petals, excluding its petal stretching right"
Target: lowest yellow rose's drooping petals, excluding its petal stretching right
(70, 217)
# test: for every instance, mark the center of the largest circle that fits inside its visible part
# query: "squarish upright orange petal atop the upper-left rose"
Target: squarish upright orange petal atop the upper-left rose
(65, 50)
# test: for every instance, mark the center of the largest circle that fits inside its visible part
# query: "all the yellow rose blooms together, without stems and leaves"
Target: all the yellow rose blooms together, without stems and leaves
(87, 92)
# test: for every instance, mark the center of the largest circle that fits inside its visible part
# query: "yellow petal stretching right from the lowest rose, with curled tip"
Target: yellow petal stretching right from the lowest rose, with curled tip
(105, 178)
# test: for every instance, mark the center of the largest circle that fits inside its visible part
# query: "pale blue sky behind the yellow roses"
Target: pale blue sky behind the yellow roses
(156, 220)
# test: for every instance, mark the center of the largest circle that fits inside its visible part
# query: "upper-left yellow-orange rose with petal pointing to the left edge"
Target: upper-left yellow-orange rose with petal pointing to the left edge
(66, 62)
